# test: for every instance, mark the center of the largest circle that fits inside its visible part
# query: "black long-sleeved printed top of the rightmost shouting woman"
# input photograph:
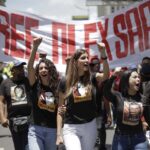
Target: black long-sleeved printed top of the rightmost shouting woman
(129, 109)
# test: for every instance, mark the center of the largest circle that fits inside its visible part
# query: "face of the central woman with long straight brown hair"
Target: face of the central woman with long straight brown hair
(83, 64)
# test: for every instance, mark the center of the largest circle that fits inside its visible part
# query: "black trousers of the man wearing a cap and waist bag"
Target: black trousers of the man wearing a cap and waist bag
(20, 138)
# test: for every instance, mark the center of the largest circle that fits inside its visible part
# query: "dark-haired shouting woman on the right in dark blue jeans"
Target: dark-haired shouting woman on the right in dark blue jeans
(128, 102)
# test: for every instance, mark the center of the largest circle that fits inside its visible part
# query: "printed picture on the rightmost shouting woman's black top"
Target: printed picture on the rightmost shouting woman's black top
(132, 113)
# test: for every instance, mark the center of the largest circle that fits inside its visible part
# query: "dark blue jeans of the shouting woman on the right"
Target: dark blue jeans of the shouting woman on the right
(129, 142)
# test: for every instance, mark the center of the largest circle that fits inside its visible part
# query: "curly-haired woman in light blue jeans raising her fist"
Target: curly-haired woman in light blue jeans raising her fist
(43, 81)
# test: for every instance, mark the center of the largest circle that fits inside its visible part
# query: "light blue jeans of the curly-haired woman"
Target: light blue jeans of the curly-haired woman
(41, 138)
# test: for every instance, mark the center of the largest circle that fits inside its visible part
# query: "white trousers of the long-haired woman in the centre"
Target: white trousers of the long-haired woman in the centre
(80, 136)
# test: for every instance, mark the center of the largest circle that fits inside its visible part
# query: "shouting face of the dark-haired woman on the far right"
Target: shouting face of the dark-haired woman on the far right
(134, 82)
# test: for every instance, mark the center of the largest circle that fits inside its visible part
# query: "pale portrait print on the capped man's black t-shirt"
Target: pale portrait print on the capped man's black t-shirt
(18, 95)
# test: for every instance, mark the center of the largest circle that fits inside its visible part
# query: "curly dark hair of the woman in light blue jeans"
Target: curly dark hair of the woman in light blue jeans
(54, 76)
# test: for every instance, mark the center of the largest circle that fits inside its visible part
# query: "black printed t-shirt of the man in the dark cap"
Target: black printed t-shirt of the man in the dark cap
(16, 94)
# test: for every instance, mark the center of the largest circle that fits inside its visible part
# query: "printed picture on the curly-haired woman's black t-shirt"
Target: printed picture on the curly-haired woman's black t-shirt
(47, 101)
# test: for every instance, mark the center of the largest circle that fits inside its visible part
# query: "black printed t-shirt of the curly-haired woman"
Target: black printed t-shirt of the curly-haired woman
(44, 110)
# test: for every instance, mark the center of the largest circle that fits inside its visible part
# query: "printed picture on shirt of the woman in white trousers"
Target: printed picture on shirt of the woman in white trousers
(81, 93)
